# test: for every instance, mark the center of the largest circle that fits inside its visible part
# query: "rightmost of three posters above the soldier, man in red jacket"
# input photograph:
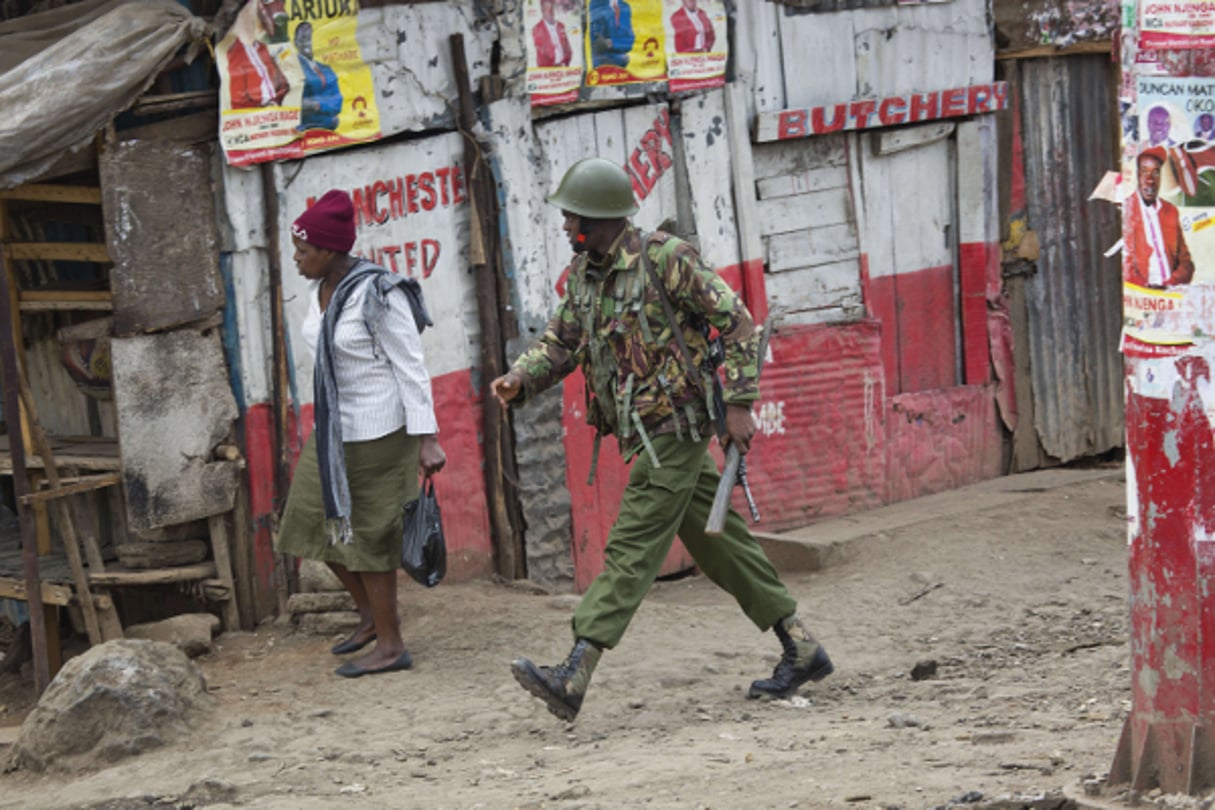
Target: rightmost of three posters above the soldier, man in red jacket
(697, 44)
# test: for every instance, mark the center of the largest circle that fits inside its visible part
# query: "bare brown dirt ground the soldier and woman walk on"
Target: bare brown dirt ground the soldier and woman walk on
(1022, 605)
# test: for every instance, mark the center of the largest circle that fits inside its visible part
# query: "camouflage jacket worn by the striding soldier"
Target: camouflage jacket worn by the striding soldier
(612, 322)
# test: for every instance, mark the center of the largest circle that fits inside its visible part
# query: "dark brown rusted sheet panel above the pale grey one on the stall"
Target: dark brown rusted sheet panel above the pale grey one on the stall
(161, 234)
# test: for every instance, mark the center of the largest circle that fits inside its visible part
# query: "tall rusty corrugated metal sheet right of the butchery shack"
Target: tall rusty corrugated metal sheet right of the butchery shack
(1075, 299)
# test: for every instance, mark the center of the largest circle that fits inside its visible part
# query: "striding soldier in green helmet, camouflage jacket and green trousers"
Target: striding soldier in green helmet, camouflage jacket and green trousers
(645, 389)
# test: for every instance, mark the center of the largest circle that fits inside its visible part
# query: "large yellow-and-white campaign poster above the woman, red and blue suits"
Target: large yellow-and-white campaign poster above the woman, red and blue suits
(293, 83)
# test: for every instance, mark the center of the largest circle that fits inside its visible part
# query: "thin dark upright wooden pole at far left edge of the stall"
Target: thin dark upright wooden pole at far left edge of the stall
(21, 482)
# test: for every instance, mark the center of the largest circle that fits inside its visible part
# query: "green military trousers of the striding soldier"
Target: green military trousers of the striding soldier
(659, 503)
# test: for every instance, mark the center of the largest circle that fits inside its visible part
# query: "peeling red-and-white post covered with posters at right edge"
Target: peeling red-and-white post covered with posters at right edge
(1168, 741)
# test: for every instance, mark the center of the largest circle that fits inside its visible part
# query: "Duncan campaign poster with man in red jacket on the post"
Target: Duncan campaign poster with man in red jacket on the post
(1169, 217)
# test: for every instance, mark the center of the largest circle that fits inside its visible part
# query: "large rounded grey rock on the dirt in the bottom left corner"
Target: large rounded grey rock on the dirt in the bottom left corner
(117, 700)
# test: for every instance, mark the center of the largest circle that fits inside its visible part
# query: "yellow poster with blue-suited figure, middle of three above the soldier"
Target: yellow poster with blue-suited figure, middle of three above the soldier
(625, 42)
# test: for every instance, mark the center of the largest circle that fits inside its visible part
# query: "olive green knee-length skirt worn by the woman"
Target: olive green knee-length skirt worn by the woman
(383, 477)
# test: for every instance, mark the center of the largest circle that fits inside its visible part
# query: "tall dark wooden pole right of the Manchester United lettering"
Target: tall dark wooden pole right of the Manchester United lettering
(485, 256)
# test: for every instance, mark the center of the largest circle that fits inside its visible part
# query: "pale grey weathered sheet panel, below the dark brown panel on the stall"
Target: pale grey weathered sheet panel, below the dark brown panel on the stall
(174, 409)
